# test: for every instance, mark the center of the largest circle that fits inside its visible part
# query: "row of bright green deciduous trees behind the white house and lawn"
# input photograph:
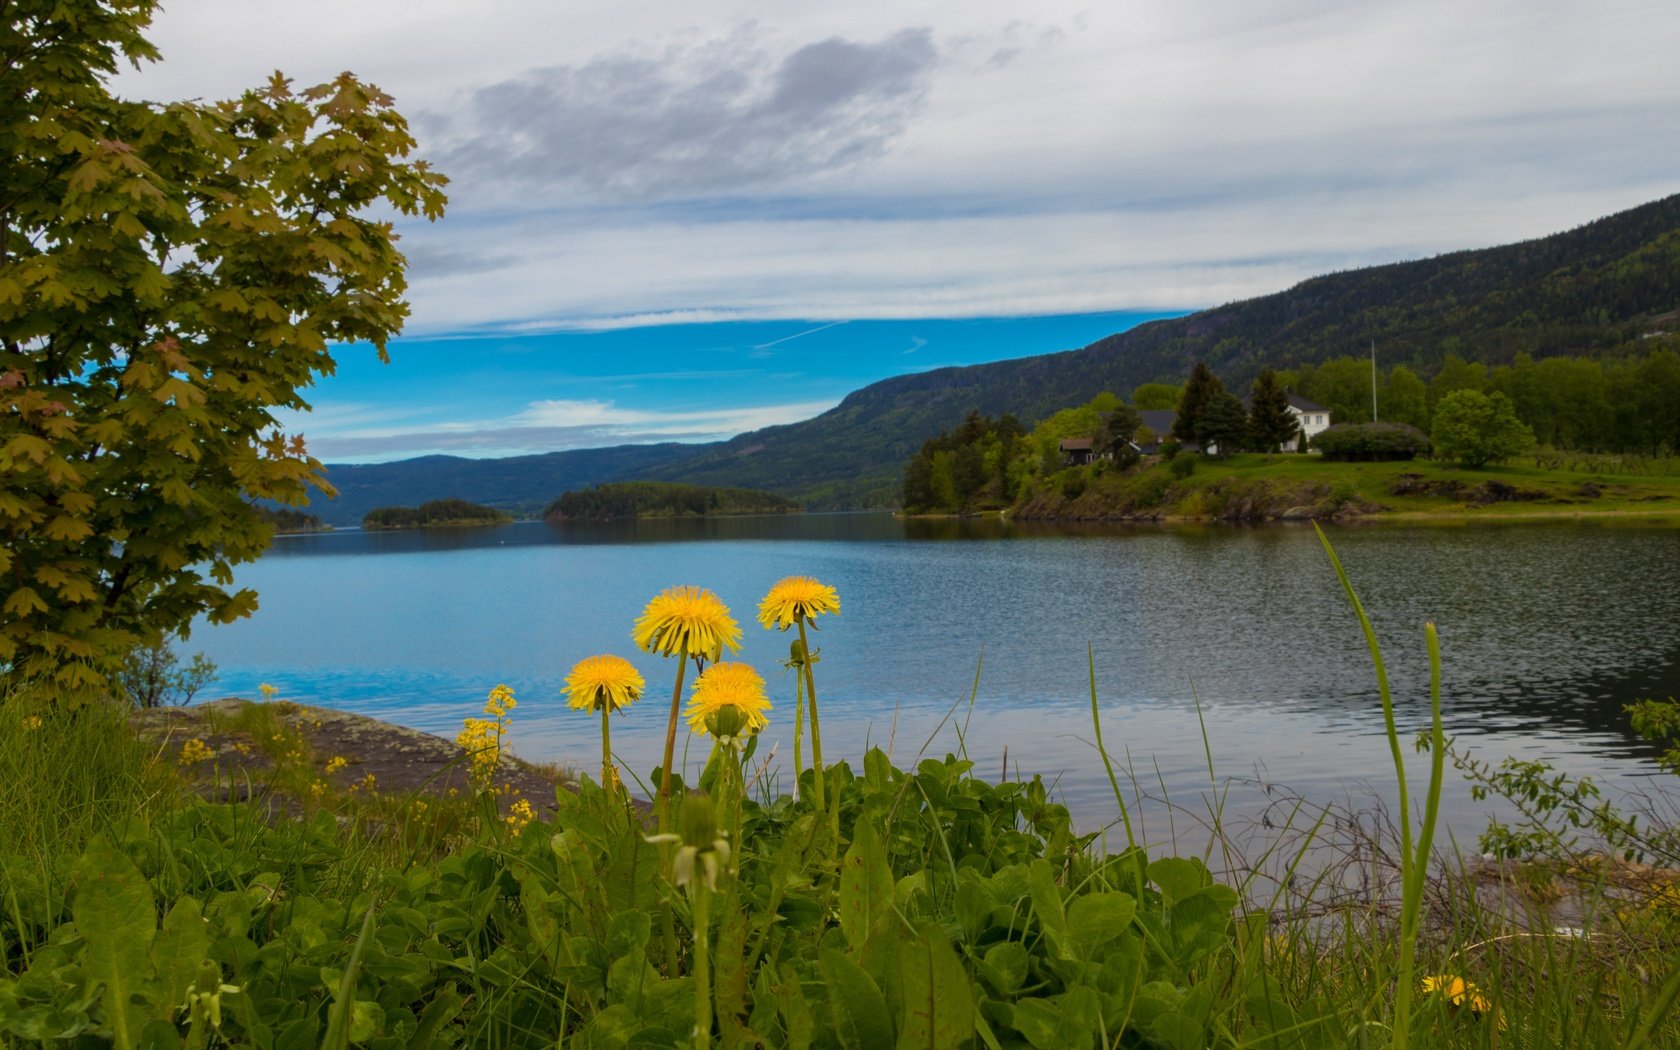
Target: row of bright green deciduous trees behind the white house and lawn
(1577, 404)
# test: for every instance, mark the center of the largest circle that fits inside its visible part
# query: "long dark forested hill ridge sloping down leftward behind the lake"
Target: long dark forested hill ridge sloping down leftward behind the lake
(1592, 290)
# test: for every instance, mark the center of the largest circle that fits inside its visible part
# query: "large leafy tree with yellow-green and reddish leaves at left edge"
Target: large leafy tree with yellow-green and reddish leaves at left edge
(171, 278)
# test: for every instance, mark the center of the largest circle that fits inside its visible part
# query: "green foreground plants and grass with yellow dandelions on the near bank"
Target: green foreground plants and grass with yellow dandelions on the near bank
(879, 906)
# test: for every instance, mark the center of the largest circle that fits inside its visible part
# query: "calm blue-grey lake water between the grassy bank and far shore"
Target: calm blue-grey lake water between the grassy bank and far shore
(1546, 633)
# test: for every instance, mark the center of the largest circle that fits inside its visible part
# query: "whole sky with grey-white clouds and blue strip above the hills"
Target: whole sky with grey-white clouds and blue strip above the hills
(680, 221)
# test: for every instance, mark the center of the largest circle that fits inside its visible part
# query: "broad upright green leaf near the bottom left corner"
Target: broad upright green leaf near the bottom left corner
(115, 915)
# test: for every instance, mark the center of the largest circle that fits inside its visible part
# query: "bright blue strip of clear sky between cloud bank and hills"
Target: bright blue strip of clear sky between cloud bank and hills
(567, 389)
